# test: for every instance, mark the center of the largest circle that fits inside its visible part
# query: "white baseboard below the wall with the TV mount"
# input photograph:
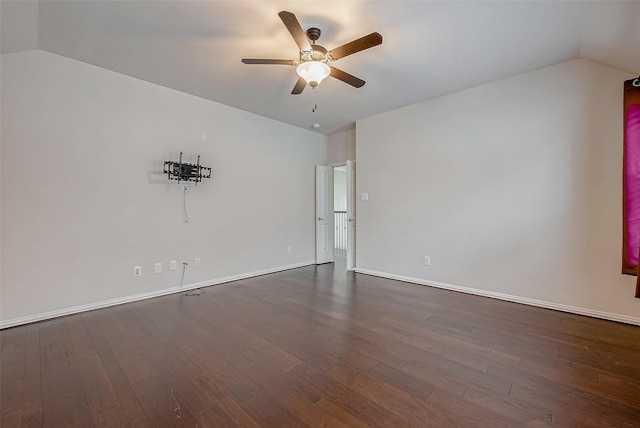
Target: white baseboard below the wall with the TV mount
(127, 299)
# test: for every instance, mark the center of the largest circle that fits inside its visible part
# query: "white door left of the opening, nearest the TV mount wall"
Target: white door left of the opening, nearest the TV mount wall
(324, 214)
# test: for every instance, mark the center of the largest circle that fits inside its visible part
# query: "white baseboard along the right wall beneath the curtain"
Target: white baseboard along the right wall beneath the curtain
(508, 297)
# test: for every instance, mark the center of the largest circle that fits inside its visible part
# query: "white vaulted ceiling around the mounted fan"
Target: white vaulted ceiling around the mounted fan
(430, 48)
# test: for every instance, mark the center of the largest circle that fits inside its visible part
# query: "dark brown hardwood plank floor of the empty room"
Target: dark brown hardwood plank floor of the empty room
(315, 347)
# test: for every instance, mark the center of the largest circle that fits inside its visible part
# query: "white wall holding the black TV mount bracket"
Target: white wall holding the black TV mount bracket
(83, 199)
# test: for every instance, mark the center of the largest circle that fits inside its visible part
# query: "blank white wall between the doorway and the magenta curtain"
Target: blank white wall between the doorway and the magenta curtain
(513, 189)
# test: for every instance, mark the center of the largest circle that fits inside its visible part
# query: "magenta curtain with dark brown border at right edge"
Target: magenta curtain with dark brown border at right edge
(631, 181)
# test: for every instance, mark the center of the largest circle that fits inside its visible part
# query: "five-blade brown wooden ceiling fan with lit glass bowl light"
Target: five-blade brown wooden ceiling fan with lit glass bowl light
(313, 63)
